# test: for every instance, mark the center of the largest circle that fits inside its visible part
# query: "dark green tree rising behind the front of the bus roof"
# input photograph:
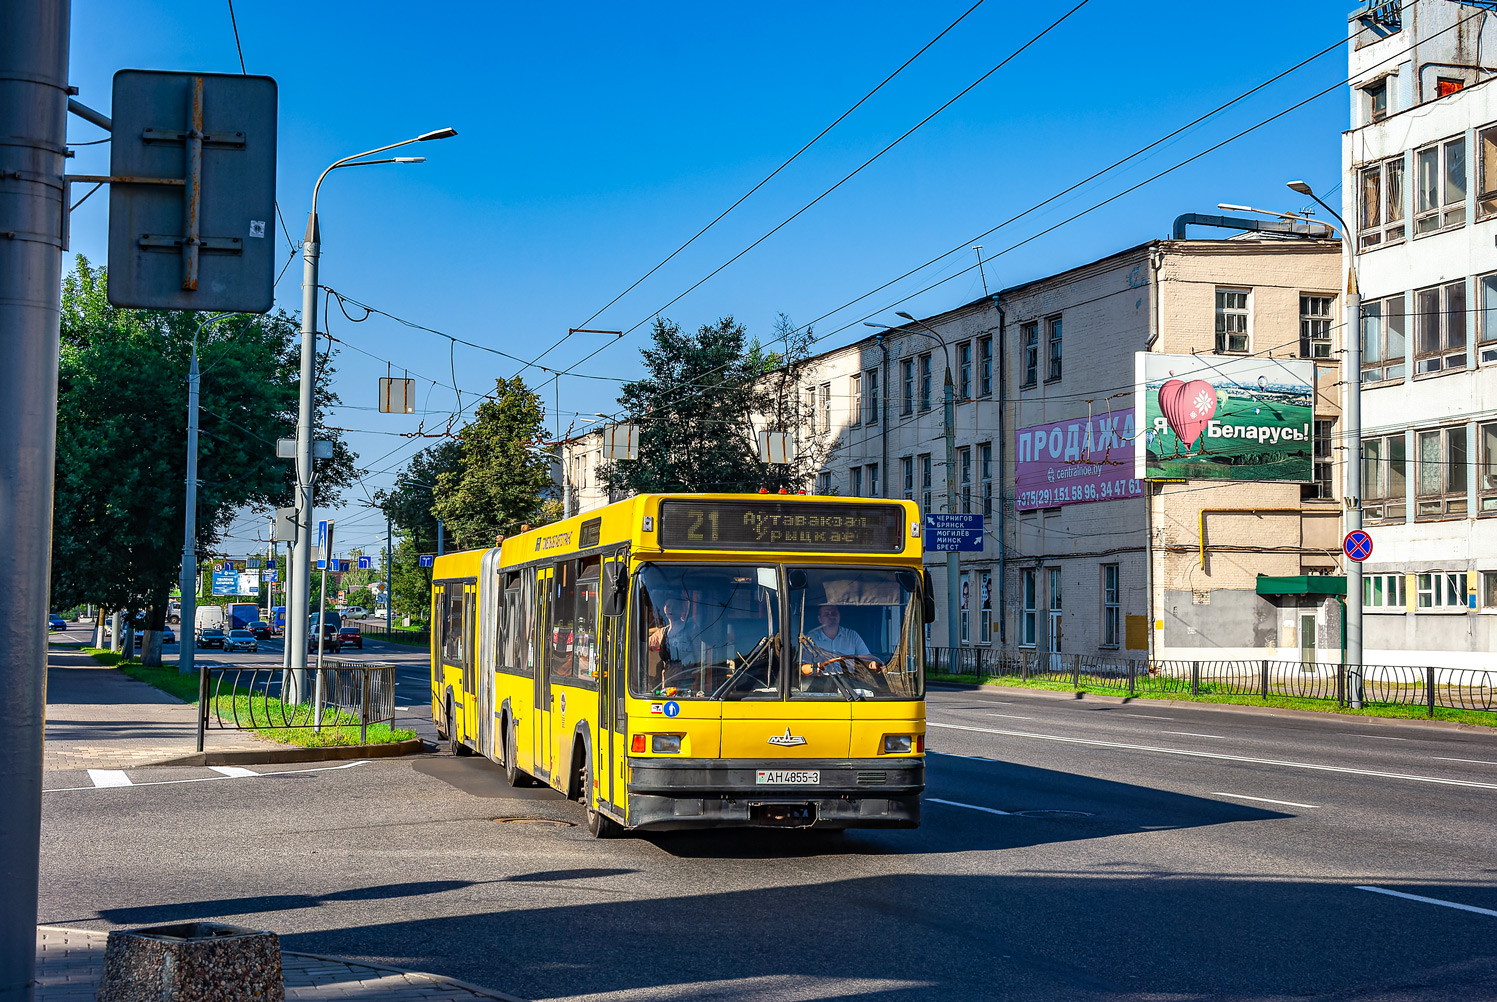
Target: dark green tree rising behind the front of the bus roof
(703, 405)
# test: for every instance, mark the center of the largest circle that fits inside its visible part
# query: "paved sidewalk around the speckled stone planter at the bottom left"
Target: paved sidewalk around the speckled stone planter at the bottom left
(70, 964)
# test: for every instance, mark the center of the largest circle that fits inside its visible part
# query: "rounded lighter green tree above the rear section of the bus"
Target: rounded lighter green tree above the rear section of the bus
(501, 482)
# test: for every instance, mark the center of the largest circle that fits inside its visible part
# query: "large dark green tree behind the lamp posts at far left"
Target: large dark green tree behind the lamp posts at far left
(122, 429)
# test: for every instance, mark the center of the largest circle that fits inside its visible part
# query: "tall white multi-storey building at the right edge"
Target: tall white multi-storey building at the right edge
(1420, 191)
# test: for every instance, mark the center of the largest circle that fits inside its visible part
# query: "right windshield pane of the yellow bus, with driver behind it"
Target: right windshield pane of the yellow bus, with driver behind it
(857, 634)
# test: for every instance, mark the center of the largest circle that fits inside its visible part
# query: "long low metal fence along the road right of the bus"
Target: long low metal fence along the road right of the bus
(1388, 685)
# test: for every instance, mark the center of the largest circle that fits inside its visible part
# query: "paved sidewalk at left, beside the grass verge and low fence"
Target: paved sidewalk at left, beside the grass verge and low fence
(101, 718)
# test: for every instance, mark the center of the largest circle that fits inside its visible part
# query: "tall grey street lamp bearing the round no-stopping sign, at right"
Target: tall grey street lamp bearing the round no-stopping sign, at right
(1353, 434)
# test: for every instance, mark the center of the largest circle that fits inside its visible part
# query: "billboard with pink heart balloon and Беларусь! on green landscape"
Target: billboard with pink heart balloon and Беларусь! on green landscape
(1225, 419)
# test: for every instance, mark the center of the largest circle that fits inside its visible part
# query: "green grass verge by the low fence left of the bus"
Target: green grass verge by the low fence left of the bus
(339, 729)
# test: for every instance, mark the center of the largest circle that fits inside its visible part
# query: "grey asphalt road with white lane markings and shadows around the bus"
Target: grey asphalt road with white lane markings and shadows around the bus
(1071, 850)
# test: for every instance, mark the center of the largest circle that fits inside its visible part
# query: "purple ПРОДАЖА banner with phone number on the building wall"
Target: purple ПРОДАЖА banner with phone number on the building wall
(1076, 462)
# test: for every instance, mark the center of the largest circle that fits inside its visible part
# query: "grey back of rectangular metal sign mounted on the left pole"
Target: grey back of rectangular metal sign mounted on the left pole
(192, 203)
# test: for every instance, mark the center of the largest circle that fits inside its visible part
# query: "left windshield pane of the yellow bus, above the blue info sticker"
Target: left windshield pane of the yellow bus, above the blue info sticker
(709, 631)
